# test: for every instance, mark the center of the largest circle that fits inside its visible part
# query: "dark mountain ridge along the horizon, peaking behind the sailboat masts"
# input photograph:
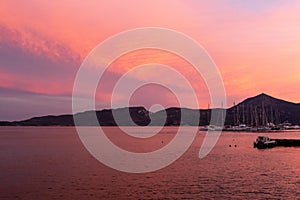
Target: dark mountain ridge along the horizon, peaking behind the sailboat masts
(258, 110)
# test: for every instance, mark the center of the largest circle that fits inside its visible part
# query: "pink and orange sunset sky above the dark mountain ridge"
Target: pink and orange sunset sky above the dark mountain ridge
(255, 45)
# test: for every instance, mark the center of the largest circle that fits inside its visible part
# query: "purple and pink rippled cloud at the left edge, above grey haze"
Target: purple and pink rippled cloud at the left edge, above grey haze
(30, 62)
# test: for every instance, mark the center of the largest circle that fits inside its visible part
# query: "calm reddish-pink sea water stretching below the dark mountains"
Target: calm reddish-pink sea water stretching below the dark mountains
(51, 163)
